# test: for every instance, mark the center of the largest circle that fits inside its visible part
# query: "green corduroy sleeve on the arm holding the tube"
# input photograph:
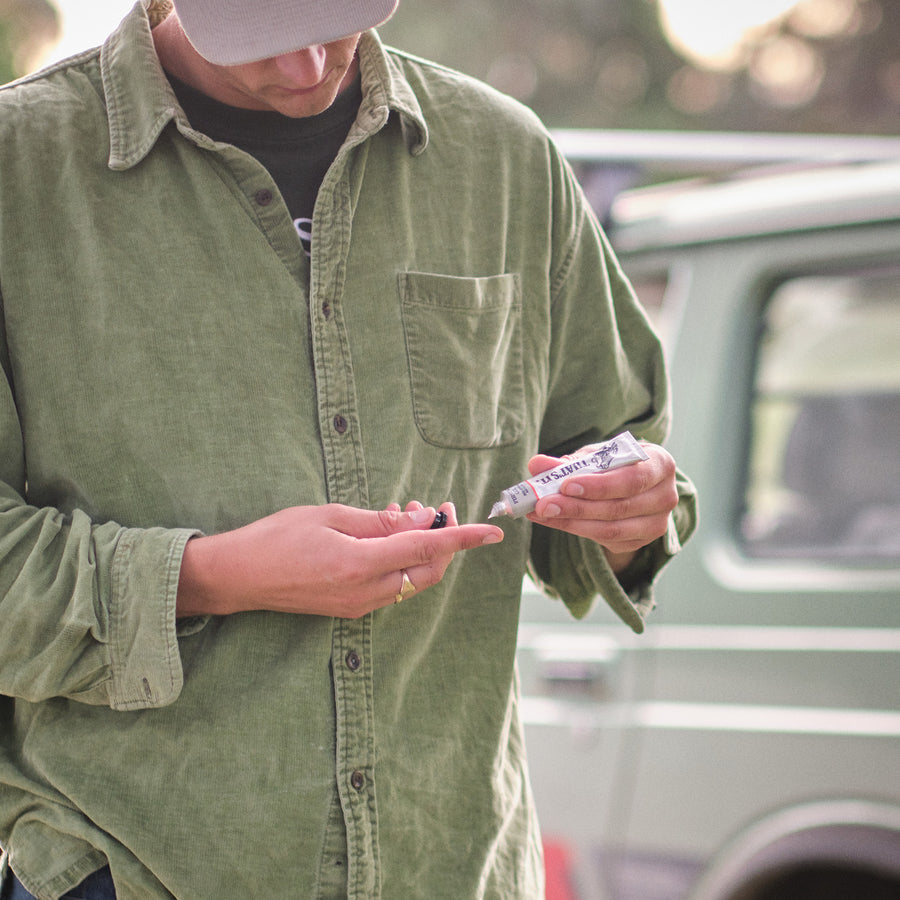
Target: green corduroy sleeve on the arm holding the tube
(608, 375)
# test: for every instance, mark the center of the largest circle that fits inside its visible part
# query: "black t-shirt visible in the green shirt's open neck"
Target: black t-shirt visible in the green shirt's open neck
(296, 152)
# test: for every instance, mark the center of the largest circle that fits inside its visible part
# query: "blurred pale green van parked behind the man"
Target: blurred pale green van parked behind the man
(747, 745)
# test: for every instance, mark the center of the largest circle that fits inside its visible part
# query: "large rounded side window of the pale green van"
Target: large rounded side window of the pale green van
(824, 454)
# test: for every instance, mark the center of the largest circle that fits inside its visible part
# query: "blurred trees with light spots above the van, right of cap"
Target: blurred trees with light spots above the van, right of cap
(825, 65)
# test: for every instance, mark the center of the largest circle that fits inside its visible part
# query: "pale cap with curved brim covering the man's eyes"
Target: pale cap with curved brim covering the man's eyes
(232, 32)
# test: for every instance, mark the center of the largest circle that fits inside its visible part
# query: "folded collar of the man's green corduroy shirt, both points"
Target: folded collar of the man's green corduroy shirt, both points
(140, 101)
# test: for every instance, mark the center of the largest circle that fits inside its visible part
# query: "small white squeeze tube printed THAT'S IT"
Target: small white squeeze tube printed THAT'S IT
(521, 498)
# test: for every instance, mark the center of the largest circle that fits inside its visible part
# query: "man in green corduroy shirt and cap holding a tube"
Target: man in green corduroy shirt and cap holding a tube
(263, 281)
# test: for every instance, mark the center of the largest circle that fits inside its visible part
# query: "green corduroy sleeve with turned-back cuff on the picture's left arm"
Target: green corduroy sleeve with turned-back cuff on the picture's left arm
(88, 610)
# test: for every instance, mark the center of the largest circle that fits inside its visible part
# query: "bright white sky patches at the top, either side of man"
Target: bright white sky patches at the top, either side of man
(703, 28)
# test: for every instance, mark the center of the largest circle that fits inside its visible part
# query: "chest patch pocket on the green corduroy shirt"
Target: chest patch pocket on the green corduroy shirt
(464, 343)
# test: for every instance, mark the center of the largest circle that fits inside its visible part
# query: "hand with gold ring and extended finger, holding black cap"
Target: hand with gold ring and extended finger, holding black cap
(328, 560)
